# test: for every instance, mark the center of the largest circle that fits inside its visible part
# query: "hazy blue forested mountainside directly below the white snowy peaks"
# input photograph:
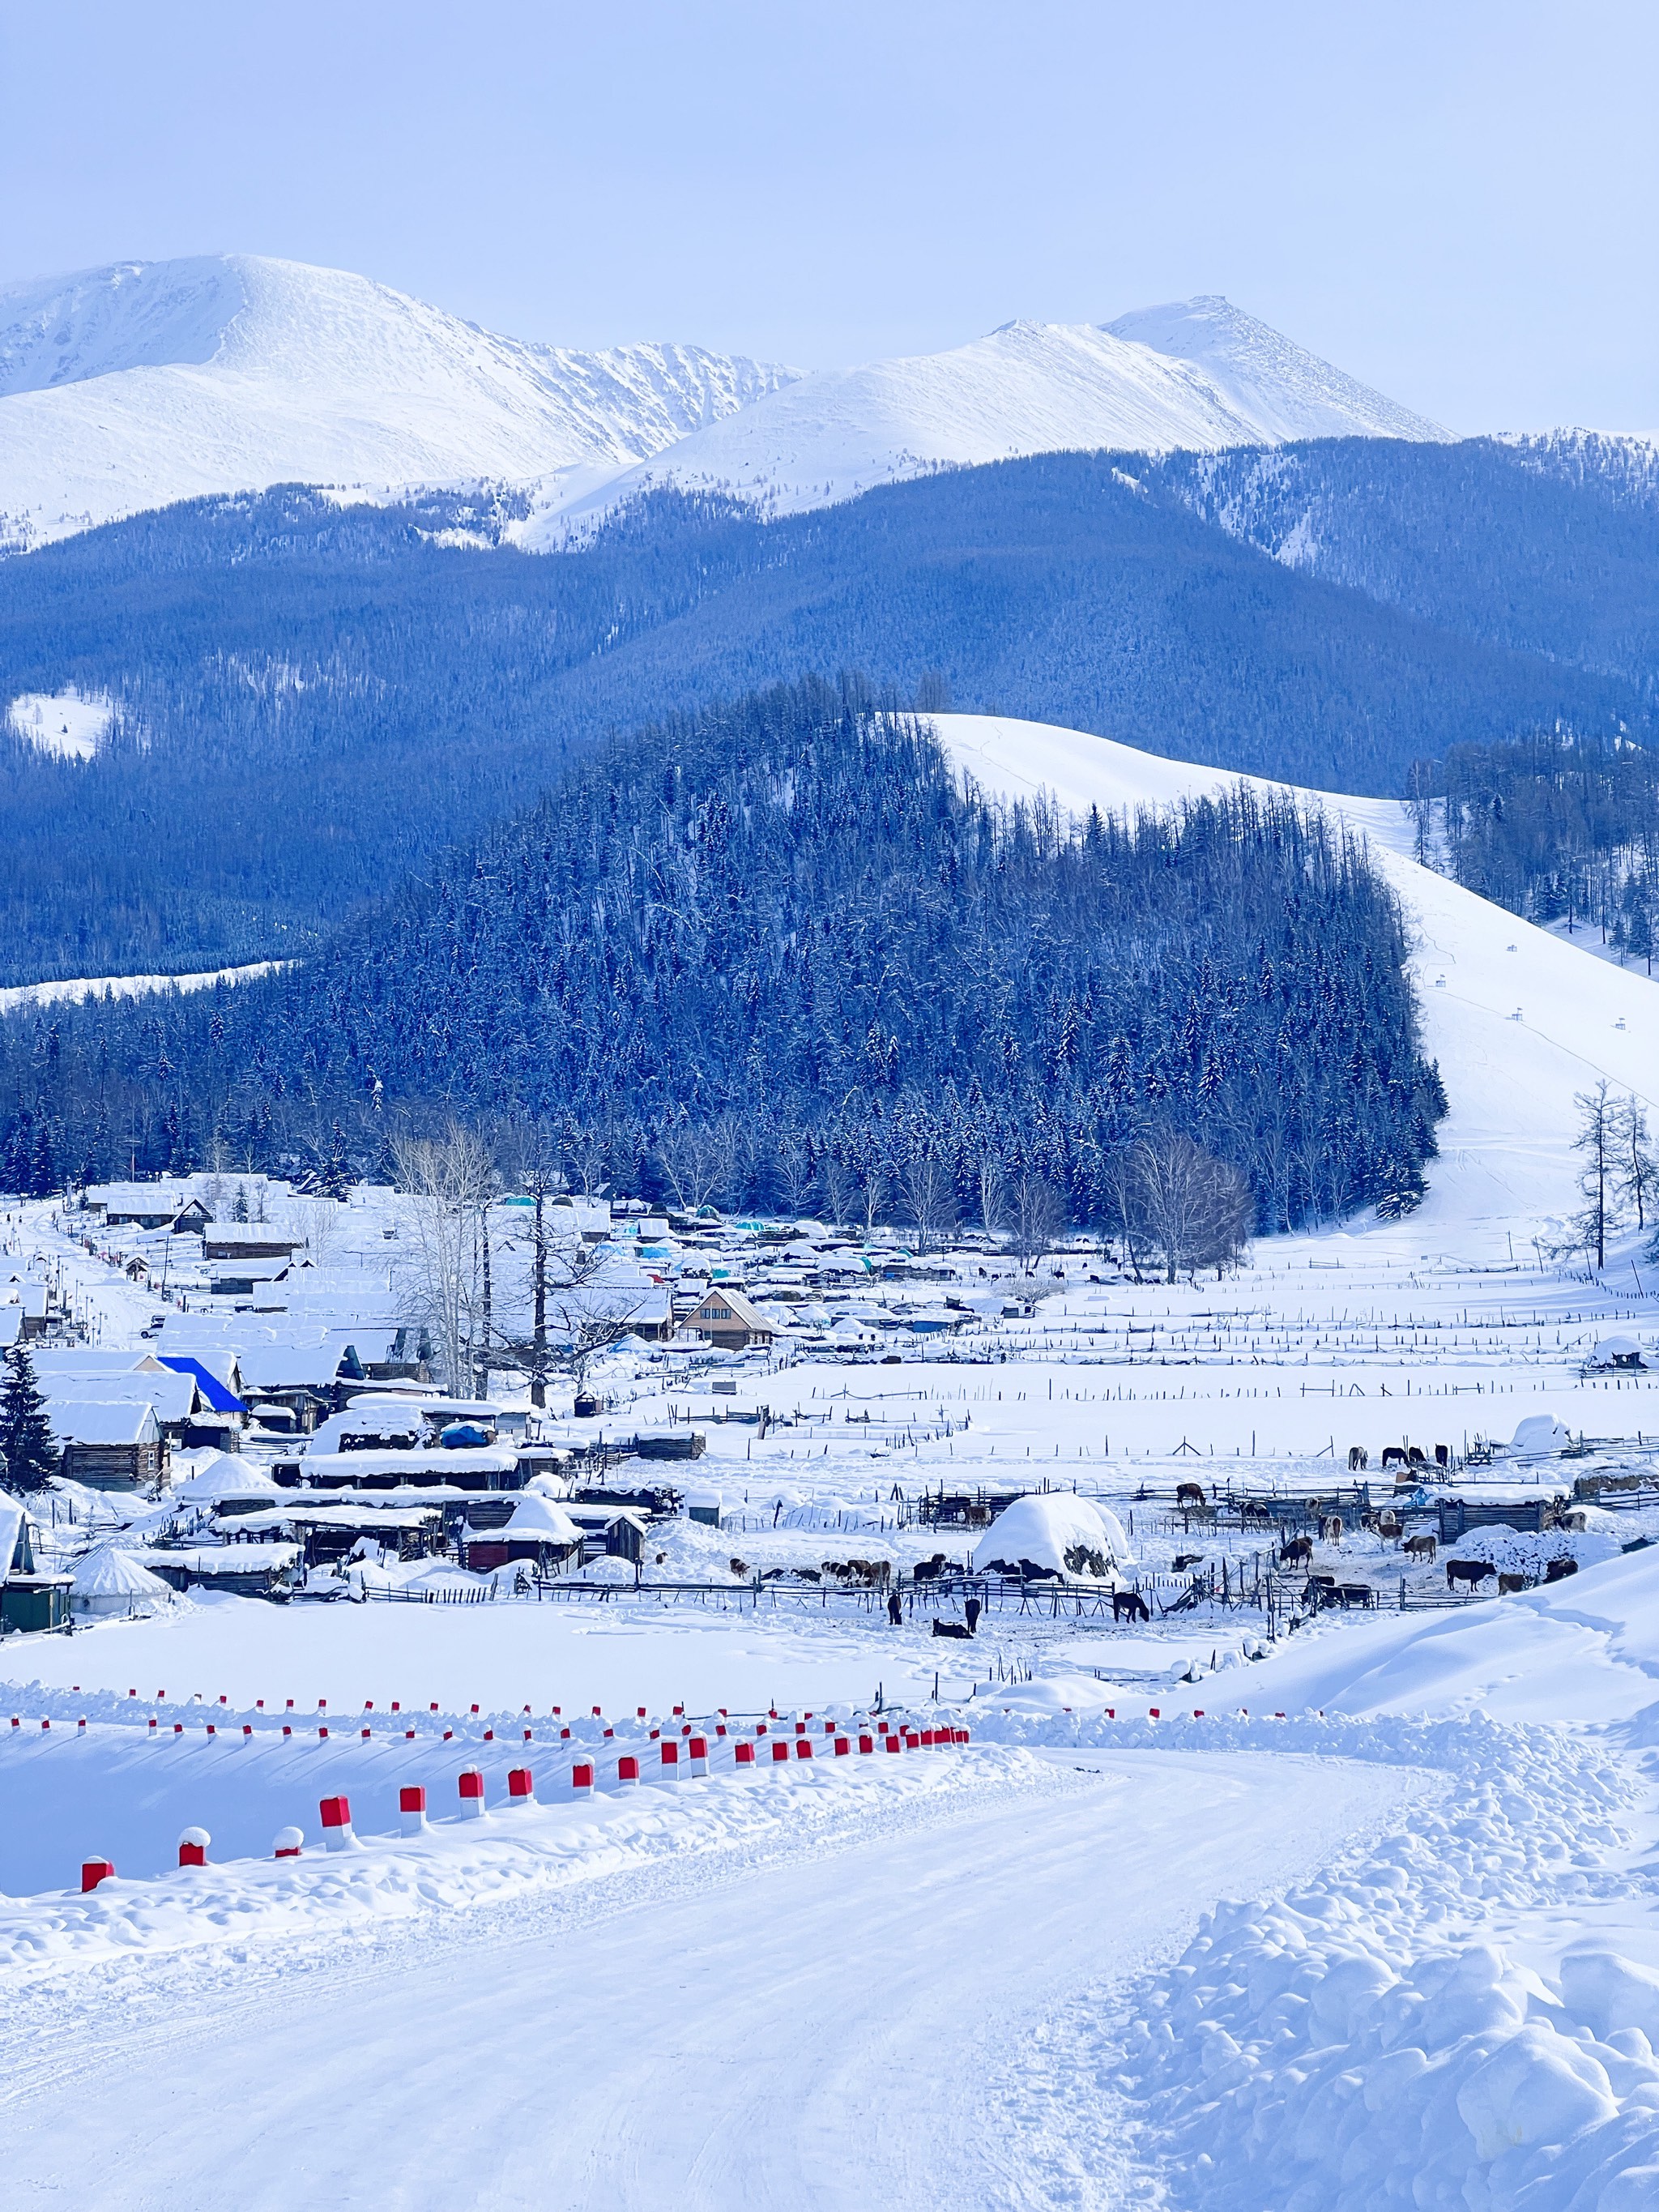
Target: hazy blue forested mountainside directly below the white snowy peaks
(315, 702)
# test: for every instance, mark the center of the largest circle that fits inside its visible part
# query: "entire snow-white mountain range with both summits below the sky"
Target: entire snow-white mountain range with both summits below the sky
(158, 382)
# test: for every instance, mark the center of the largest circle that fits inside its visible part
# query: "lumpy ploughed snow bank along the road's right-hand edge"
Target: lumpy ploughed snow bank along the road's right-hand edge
(1350, 2045)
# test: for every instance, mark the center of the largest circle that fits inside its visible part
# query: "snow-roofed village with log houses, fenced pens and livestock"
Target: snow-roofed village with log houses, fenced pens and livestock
(926, 1446)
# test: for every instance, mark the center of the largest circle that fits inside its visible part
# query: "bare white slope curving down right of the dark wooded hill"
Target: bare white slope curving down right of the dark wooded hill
(1519, 1019)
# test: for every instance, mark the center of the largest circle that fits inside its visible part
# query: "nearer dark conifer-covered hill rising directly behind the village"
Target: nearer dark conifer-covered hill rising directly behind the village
(782, 948)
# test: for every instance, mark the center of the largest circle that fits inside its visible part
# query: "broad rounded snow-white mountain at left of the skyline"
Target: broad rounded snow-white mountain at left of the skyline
(158, 382)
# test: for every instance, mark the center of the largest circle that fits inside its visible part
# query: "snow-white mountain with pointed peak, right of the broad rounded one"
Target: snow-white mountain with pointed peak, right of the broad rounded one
(1196, 375)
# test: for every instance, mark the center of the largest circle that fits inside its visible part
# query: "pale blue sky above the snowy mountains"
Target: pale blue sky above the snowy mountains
(1454, 202)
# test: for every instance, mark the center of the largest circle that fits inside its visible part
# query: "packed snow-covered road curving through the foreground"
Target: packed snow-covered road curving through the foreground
(806, 2034)
